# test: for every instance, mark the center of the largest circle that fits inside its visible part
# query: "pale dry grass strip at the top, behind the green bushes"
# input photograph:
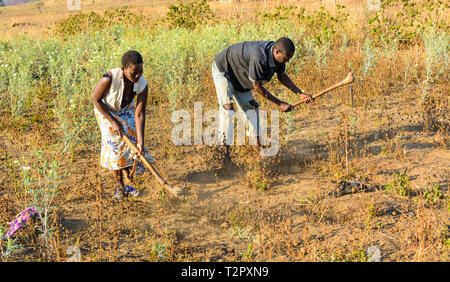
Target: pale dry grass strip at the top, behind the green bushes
(36, 18)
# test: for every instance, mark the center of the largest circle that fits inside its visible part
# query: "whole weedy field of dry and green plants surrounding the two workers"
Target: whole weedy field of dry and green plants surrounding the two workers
(385, 136)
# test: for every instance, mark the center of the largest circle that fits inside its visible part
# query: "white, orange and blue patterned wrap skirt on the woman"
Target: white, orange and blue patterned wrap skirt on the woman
(115, 153)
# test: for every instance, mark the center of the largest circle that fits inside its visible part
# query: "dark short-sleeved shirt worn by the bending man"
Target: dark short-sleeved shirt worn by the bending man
(247, 62)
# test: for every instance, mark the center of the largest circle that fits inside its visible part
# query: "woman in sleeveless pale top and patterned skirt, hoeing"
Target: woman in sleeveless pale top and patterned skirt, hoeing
(116, 115)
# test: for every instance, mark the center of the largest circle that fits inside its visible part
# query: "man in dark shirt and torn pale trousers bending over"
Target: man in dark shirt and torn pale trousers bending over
(247, 66)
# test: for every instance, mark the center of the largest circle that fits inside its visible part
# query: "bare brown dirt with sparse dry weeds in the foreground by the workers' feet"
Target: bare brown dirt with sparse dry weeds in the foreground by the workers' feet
(220, 217)
